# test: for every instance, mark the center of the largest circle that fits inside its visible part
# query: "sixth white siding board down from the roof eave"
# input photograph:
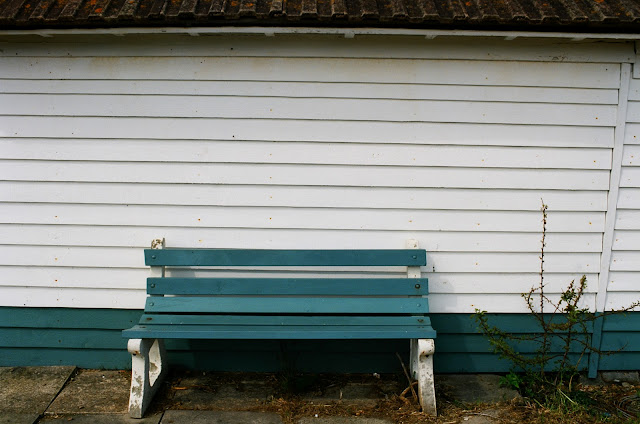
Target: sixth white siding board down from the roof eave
(237, 151)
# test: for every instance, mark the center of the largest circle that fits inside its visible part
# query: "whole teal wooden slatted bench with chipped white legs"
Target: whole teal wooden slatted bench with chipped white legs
(280, 308)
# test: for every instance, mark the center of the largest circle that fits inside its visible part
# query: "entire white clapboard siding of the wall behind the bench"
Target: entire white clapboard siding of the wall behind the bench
(315, 143)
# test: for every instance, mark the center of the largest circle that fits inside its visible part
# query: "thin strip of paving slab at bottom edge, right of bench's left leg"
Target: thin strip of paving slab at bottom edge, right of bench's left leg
(219, 417)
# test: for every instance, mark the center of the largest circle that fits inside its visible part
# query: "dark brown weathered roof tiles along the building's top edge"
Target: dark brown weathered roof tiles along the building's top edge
(543, 15)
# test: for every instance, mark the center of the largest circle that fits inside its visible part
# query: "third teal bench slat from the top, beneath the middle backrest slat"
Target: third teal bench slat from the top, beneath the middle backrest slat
(292, 305)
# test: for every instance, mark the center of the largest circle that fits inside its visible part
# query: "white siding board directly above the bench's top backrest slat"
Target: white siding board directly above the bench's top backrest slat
(434, 241)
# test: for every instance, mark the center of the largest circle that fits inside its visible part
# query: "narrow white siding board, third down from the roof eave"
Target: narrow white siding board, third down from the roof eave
(353, 90)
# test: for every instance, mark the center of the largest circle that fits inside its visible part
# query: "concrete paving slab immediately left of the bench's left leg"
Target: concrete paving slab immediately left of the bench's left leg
(94, 391)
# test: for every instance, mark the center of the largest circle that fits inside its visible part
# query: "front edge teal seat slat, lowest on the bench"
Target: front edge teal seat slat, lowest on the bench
(278, 332)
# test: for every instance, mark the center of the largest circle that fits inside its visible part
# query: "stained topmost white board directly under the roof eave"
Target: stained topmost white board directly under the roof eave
(294, 45)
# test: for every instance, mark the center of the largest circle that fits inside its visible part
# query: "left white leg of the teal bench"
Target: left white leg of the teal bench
(148, 369)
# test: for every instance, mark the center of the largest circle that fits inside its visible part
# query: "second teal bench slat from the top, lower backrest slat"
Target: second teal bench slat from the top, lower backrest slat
(289, 286)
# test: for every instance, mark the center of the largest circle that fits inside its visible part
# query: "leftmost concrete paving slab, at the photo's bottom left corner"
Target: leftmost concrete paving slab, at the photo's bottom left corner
(29, 390)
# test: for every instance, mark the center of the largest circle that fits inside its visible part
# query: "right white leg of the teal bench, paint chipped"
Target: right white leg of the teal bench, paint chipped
(422, 370)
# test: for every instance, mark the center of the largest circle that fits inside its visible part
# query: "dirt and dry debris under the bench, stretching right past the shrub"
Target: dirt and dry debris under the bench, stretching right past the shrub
(293, 397)
